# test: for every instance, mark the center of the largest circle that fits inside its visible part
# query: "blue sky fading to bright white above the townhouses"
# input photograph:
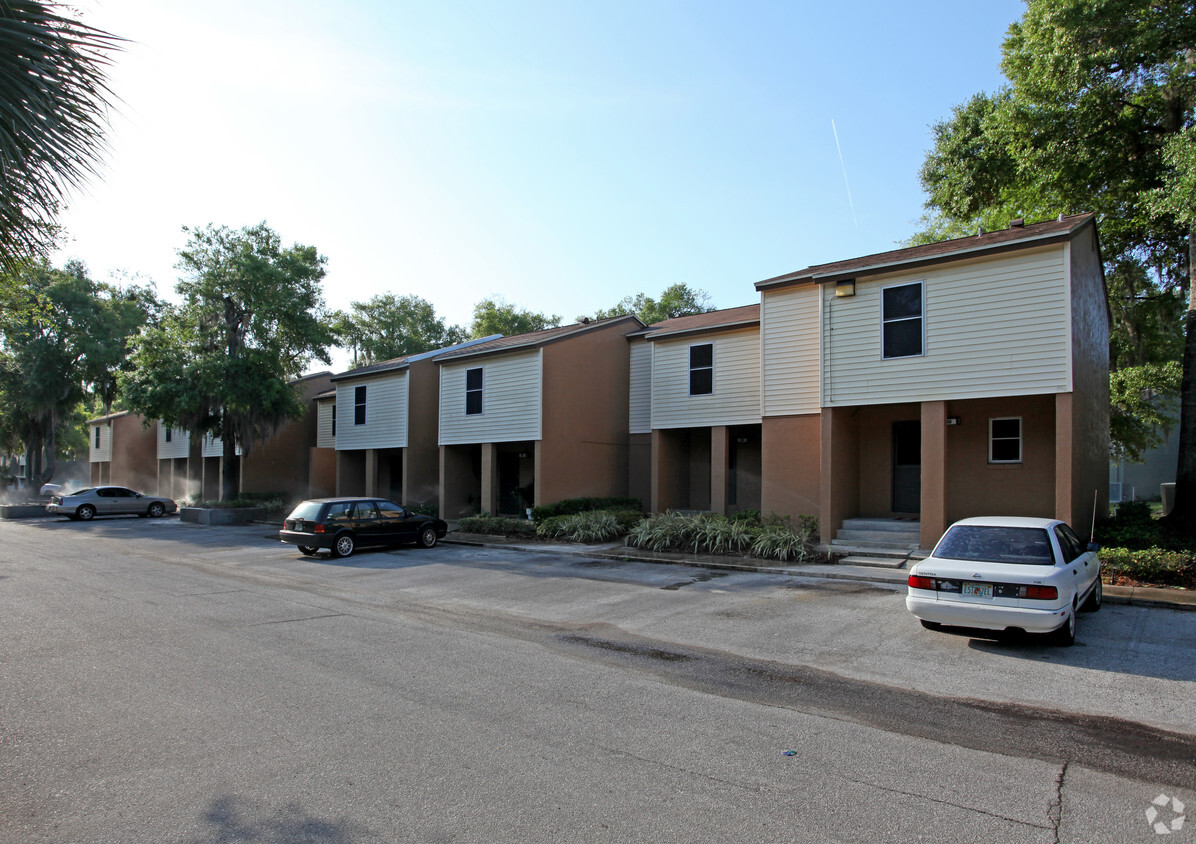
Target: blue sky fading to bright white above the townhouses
(557, 155)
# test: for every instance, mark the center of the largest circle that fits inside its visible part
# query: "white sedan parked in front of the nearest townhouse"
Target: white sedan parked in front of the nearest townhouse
(1008, 573)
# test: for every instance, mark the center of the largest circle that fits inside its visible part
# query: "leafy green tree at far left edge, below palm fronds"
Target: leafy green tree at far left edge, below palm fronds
(64, 340)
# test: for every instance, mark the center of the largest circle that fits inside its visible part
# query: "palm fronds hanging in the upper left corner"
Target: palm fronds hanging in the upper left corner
(54, 101)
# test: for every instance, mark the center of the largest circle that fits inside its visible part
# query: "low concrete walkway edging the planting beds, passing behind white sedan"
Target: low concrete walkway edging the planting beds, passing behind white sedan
(1137, 596)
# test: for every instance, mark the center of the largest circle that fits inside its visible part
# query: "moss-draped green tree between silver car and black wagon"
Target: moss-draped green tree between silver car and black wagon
(222, 363)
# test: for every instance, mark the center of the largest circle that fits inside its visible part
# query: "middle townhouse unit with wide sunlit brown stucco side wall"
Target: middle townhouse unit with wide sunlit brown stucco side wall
(535, 419)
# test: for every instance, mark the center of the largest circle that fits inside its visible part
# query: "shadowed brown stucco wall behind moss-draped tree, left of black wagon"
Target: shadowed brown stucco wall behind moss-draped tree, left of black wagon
(282, 463)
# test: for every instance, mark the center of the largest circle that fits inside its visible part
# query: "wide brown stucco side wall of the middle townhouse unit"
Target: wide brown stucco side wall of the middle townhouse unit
(584, 439)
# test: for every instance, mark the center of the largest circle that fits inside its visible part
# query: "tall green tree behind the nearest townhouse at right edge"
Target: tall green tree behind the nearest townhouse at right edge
(1099, 115)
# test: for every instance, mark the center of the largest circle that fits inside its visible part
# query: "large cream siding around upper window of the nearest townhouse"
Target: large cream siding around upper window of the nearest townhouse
(996, 327)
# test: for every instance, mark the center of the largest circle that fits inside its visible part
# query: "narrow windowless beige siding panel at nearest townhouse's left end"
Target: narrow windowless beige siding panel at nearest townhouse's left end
(790, 321)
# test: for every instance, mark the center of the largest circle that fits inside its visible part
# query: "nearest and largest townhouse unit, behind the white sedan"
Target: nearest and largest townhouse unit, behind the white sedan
(933, 383)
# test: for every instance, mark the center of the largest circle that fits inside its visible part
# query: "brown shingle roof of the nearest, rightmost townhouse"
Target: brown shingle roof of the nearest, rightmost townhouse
(945, 250)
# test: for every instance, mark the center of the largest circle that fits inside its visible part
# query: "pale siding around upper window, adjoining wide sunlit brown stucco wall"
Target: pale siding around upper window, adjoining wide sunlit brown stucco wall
(511, 400)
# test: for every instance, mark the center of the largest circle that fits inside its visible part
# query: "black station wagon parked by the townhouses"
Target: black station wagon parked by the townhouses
(341, 525)
